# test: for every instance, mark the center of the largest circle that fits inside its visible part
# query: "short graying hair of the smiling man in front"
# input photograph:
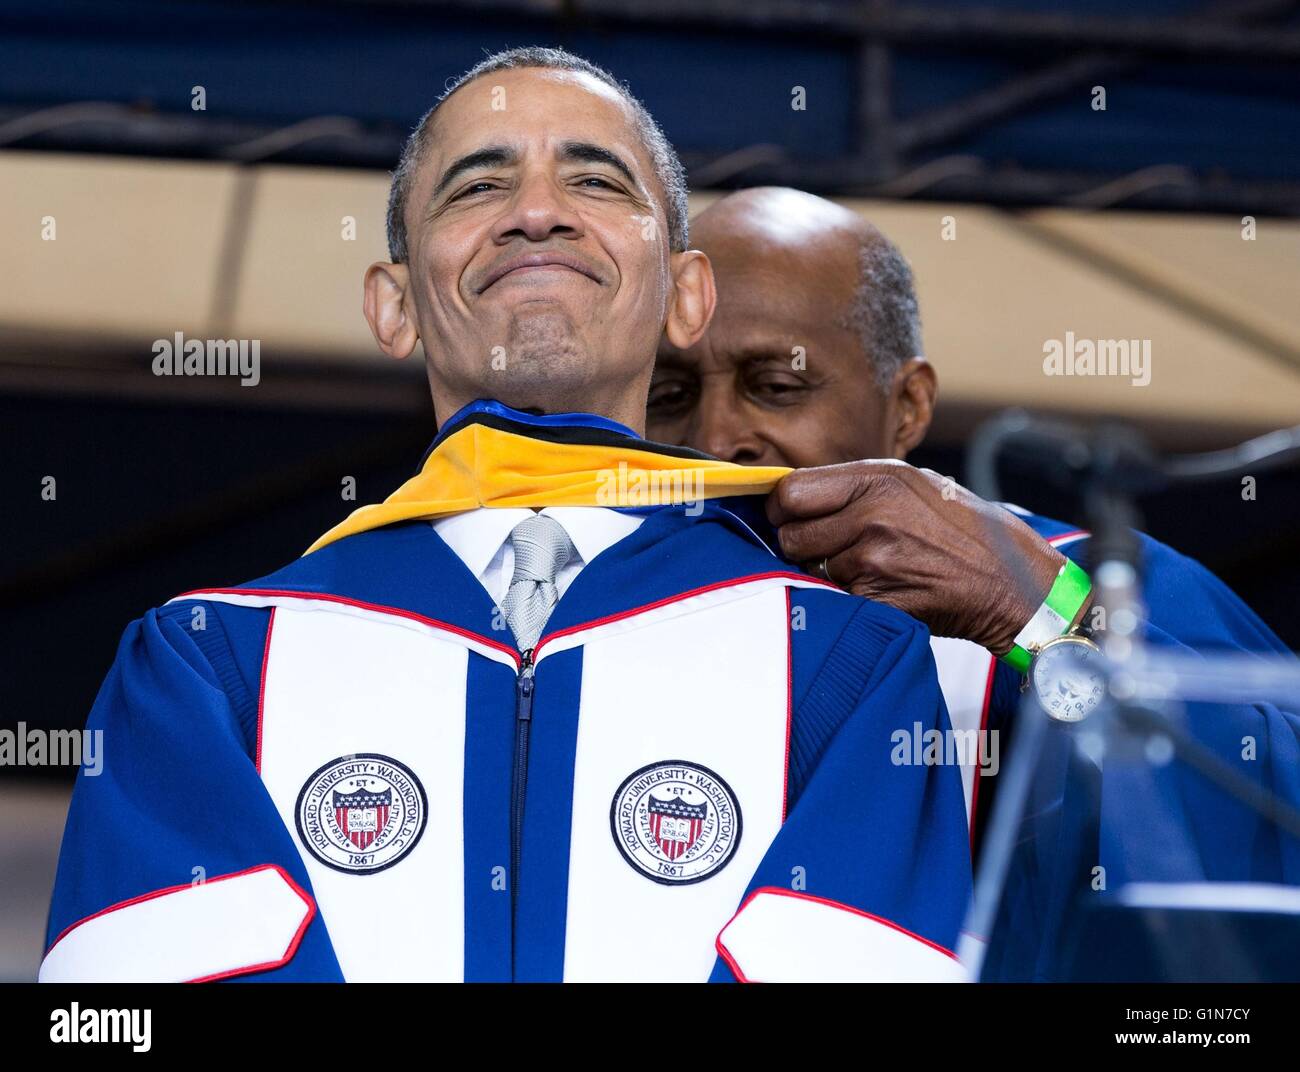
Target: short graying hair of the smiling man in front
(664, 158)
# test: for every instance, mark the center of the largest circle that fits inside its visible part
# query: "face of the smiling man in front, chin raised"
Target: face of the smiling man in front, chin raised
(538, 238)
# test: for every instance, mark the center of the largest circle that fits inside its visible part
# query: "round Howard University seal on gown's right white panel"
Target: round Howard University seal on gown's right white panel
(675, 822)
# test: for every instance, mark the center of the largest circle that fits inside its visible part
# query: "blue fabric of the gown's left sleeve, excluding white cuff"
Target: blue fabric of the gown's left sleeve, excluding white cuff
(179, 797)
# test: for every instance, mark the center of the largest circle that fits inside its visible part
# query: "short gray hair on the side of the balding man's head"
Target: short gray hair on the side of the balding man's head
(885, 313)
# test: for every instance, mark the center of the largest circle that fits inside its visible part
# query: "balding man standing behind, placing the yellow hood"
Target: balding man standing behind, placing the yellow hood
(813, 359)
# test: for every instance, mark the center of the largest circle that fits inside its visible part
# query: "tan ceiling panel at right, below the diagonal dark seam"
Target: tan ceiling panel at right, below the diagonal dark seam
(995, 296)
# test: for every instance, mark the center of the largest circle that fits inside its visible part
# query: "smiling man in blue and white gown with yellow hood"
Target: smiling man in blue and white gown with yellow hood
(502, 727)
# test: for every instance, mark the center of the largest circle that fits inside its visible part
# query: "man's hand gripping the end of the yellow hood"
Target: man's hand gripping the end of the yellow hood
(920, 542)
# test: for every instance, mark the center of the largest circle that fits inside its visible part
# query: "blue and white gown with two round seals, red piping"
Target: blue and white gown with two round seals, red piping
(343, 772)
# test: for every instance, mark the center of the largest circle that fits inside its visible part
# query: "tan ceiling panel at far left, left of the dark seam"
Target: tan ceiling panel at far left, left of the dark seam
(136, 245)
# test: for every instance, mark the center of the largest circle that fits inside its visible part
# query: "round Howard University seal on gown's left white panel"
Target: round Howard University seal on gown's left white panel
(362, 814)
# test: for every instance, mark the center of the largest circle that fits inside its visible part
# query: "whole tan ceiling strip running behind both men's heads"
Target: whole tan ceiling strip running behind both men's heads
(146, 249)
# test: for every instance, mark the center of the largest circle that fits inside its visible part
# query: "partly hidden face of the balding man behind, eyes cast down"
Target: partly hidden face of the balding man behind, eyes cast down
(740, 394)
